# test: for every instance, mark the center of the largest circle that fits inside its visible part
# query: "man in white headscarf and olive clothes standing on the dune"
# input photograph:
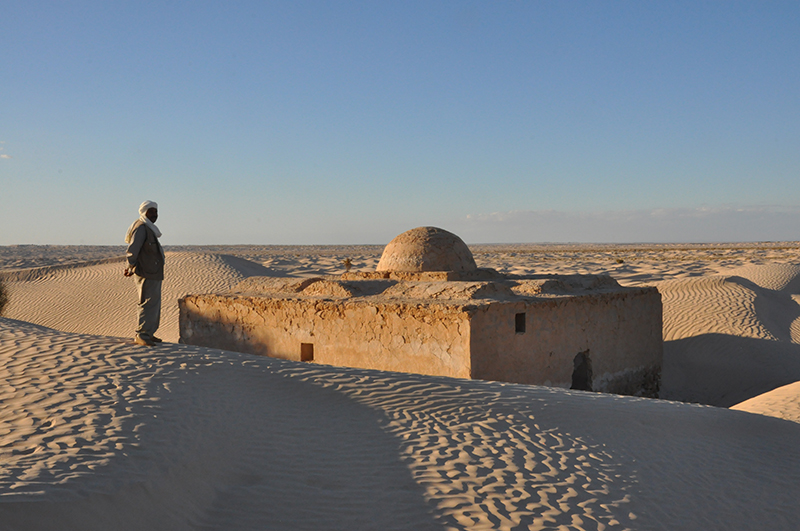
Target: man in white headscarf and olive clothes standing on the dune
(146, 265)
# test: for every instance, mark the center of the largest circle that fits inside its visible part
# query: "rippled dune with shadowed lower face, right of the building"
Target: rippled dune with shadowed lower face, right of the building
(731, 337)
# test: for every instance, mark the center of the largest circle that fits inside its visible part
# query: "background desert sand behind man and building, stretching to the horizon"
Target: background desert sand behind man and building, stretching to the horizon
(731, 315)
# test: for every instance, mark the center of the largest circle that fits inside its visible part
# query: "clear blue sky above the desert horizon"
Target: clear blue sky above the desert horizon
(350, 122)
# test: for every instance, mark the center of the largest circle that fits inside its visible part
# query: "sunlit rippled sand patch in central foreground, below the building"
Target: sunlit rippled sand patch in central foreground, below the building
(472, 445)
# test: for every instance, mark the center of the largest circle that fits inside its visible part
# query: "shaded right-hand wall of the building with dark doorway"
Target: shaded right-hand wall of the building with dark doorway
(620, 329)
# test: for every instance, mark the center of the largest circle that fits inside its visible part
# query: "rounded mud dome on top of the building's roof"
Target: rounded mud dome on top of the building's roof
(427, 249)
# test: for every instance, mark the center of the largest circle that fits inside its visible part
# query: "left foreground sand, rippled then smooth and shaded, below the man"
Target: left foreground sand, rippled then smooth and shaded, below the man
(121, 437)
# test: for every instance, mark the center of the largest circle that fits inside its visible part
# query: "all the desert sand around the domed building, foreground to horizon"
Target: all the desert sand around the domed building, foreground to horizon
(97, 433)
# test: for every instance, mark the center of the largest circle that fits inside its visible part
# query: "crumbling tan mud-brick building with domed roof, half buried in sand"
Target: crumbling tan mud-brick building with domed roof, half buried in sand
(429, 309)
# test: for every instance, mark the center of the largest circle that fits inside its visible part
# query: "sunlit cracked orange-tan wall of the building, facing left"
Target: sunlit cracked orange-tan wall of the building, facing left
(393, 336)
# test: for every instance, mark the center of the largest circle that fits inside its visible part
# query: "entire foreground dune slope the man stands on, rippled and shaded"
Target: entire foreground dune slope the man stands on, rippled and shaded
(100, 434)
